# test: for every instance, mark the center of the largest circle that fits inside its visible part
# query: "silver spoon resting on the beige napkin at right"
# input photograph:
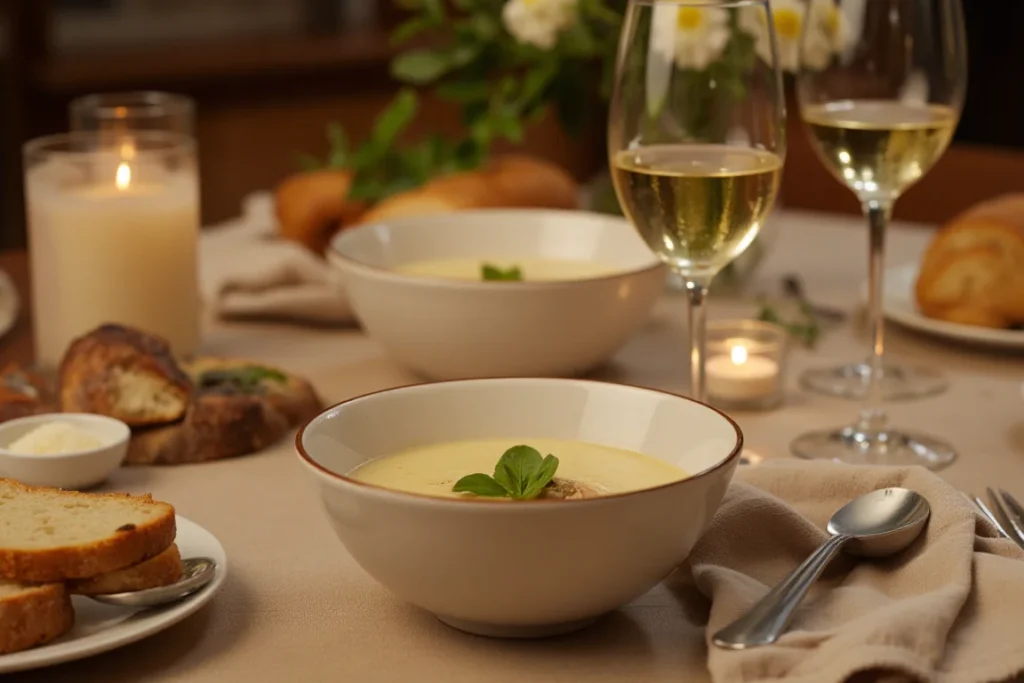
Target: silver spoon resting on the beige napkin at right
(877, 525)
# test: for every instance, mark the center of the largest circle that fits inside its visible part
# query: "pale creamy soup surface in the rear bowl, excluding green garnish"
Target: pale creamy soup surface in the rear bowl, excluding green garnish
(532, 270)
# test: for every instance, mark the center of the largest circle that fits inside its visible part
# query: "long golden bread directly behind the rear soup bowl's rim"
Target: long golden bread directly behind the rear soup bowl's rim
(508, 182)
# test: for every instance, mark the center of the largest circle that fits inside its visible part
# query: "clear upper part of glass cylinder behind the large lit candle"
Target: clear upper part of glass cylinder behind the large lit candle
(118, 114)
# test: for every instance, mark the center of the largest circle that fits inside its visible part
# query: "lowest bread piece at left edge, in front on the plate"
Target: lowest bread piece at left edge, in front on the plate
(32, 616)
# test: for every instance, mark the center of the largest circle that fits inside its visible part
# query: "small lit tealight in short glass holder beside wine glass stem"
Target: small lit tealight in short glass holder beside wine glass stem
(747, 363)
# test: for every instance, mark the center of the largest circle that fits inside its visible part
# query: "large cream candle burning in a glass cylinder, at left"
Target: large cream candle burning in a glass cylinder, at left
(113, 231)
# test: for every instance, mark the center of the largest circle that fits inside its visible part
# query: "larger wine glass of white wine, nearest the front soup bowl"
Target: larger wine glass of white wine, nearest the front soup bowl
(697, 138)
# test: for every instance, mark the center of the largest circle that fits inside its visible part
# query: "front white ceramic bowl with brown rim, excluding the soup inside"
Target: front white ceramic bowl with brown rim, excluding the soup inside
(521, 570)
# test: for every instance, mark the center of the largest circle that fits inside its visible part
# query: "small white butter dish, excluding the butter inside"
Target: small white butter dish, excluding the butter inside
(77, 471)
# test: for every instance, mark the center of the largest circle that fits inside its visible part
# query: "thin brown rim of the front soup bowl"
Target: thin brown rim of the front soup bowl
(534, 503)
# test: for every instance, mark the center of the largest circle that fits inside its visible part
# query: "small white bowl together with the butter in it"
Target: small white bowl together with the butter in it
(73, 451)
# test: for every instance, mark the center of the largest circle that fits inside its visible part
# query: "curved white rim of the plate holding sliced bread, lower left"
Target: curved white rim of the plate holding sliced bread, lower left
(39, 658)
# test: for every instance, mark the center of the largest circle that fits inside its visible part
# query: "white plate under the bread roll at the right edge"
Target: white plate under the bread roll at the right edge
(899, 303)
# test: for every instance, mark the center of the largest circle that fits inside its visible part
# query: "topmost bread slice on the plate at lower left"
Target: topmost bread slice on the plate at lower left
(49, 535)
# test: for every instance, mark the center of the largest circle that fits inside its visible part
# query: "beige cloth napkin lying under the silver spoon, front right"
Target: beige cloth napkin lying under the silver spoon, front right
(950, 610)
